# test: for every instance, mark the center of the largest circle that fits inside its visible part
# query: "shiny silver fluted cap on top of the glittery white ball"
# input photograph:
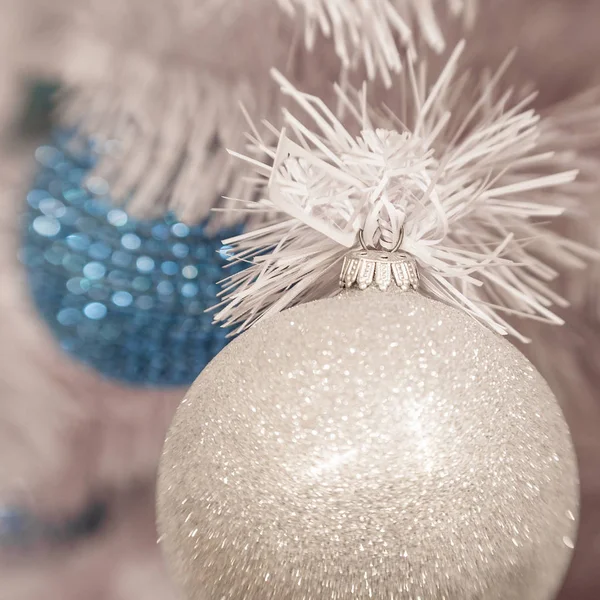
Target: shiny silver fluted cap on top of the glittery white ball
(367, 268)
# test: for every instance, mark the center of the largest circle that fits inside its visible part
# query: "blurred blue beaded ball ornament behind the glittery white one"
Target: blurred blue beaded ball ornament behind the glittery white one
(125, 296)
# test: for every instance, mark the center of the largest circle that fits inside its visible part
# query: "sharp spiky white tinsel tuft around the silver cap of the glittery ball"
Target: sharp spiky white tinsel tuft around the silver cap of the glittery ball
(467, 170)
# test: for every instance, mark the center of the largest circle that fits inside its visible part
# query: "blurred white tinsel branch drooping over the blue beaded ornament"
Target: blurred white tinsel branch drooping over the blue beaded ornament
(158, 85)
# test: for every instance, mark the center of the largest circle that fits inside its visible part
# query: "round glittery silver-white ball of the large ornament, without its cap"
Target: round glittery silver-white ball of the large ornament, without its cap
(375, 445)
